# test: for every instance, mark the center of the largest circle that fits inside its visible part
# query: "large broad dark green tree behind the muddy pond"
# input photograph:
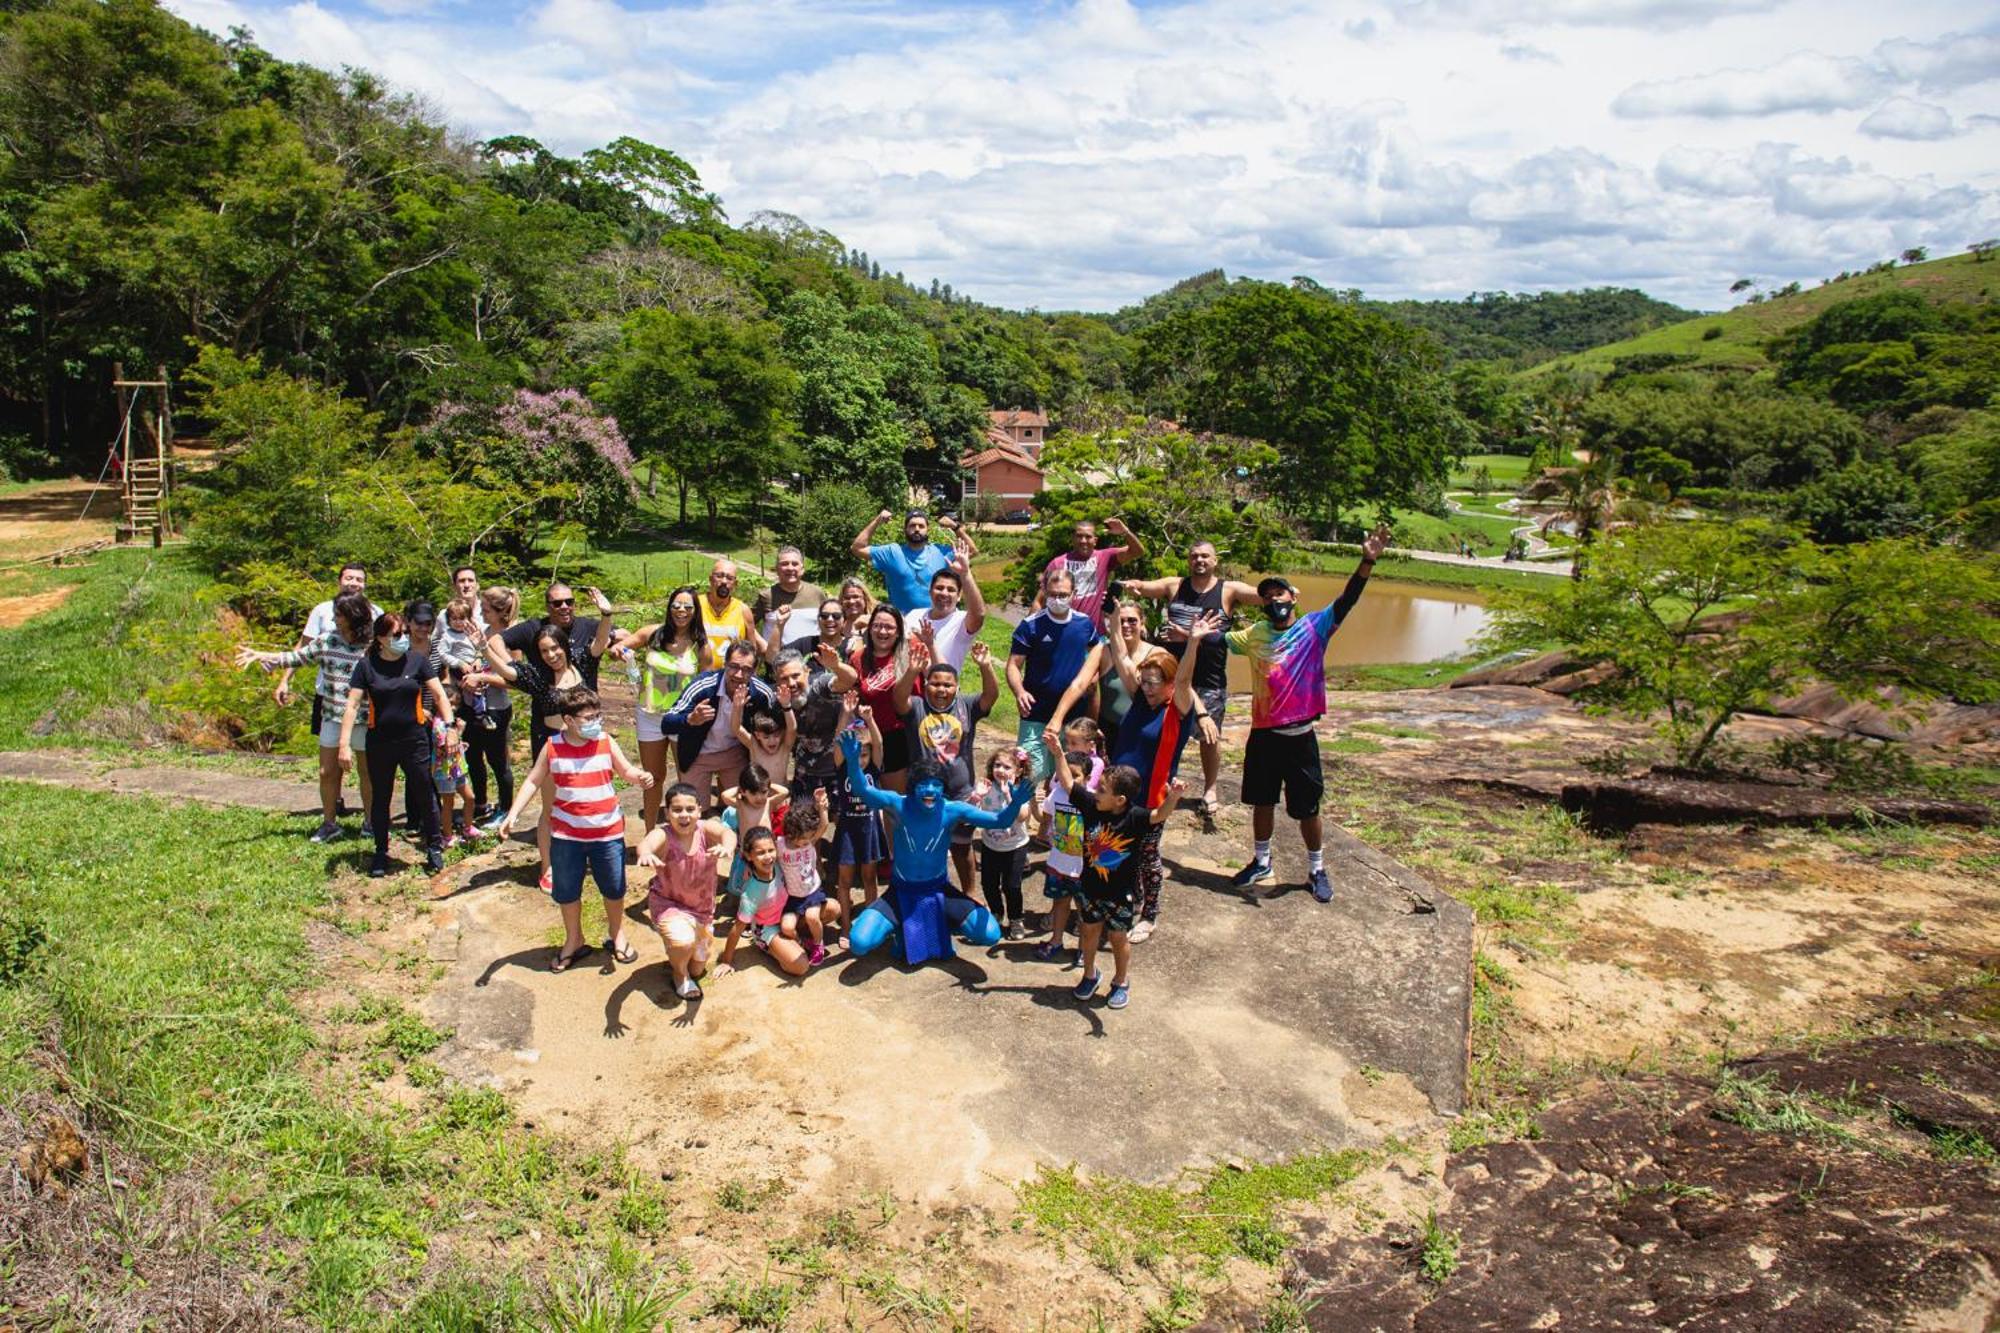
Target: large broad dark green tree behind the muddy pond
(1357, 405)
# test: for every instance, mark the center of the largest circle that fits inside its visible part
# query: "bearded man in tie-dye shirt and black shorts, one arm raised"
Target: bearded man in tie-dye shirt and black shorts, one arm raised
(1287, 698)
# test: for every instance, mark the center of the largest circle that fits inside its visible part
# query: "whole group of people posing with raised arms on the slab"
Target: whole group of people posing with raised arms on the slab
(823, 744)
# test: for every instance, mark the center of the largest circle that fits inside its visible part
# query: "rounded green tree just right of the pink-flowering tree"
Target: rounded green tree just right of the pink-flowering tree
(703, 395)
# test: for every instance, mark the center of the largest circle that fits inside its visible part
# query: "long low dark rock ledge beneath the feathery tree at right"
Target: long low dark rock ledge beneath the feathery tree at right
(1661, 800)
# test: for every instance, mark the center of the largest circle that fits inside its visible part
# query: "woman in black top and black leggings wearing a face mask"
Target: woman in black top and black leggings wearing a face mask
(399, 690)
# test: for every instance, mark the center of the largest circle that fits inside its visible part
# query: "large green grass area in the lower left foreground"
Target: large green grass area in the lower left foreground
(157, 954)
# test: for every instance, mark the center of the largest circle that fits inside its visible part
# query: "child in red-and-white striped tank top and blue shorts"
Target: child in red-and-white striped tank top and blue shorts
(585, 826)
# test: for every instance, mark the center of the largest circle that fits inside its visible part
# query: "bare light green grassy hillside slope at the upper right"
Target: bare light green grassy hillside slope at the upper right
(1745, 329)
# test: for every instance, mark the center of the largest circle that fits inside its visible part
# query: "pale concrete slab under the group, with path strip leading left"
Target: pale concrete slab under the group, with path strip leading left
(1261, 1024)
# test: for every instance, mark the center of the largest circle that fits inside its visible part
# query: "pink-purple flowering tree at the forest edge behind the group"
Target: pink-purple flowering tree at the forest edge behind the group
(565, 459)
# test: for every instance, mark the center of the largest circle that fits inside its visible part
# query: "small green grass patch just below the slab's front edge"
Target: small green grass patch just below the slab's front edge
(1221, 1214)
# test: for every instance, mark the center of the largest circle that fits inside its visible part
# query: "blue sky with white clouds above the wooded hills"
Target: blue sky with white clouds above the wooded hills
(1087, 153)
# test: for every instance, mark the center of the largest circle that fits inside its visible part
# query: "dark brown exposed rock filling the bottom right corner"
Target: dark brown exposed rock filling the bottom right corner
(1641, 1208)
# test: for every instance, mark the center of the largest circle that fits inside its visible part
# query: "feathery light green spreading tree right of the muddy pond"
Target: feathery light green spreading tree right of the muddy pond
(1891, 613)
